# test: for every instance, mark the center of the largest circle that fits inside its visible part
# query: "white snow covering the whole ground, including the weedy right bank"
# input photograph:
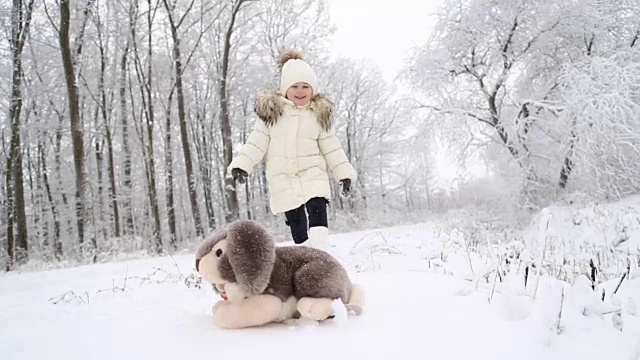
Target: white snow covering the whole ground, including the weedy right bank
(427, 297)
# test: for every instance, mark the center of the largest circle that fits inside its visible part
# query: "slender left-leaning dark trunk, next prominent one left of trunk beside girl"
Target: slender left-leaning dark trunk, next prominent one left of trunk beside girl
(184, 136)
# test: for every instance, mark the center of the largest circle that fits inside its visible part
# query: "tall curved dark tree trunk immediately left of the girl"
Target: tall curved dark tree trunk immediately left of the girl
(231, 196)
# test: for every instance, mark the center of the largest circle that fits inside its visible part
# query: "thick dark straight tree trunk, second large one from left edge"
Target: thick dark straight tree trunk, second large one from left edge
(74, 115)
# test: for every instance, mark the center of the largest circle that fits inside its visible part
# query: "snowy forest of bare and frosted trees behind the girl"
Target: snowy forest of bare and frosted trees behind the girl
(119, 117)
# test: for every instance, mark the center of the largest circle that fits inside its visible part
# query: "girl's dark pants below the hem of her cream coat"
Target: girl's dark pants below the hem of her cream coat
(297, 218)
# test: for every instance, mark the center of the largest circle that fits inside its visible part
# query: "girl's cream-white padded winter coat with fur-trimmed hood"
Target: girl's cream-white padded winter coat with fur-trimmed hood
(300, 145)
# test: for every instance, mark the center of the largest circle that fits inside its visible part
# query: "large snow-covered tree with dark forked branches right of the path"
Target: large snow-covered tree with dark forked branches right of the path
(501, 65)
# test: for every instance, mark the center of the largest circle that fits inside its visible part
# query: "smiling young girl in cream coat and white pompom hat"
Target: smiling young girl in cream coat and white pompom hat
(296, 133)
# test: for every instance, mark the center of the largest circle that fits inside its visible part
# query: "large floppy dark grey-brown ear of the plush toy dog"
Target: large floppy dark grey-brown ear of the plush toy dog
(251, 252)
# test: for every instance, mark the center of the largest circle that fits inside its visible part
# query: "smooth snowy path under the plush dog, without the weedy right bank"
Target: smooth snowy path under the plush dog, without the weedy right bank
(412, 313)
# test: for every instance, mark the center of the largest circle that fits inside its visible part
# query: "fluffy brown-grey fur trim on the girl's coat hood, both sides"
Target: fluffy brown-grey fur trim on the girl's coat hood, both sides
(270, 105)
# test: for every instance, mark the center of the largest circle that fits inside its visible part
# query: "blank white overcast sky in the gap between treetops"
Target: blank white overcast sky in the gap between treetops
(382, 30)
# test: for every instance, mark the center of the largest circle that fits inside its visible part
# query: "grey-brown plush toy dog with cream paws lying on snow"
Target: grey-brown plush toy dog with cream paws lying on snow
(262, 283)
